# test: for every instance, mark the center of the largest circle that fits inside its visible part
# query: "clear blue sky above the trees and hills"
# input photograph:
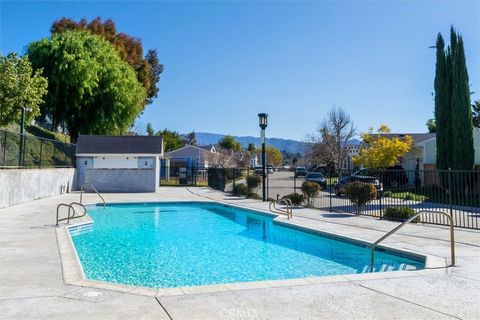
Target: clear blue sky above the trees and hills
(227, 61)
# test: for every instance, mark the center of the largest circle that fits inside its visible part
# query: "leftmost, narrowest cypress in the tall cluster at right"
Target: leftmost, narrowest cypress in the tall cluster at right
(441, 106)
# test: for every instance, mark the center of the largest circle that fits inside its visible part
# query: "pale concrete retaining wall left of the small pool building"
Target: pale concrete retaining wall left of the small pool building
(22, 185)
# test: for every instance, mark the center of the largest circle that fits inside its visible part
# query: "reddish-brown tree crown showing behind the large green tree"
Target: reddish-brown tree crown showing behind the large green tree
(147, 69)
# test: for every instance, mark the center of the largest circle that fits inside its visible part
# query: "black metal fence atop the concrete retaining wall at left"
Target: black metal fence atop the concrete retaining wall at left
(34, 152)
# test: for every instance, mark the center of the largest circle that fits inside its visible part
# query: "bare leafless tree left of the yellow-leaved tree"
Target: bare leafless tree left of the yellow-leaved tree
(329, 142)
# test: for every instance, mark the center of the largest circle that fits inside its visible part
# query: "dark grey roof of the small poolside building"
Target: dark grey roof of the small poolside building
(119, 144)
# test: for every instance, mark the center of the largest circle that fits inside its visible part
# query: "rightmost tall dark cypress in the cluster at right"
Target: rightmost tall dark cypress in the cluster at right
(463, 150)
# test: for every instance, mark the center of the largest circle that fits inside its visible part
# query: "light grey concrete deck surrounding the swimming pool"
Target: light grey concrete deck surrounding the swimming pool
(32, 284)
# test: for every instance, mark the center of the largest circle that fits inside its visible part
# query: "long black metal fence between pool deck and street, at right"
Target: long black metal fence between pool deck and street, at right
(454, 192)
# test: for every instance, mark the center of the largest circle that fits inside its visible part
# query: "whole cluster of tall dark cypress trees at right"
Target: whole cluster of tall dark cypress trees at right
(453, 113)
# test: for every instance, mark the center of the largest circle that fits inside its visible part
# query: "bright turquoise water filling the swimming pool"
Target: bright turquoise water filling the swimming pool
(184, 244)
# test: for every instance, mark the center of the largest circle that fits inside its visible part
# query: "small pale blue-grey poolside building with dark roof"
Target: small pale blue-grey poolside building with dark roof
(119, 163)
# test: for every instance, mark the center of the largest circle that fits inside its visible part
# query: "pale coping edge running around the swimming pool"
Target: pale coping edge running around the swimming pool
(73, 274)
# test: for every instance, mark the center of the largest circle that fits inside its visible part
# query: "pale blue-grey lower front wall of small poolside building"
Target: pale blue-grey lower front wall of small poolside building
(121, 180)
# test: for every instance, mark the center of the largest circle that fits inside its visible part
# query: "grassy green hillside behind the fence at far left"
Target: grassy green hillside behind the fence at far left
(43, 148)
